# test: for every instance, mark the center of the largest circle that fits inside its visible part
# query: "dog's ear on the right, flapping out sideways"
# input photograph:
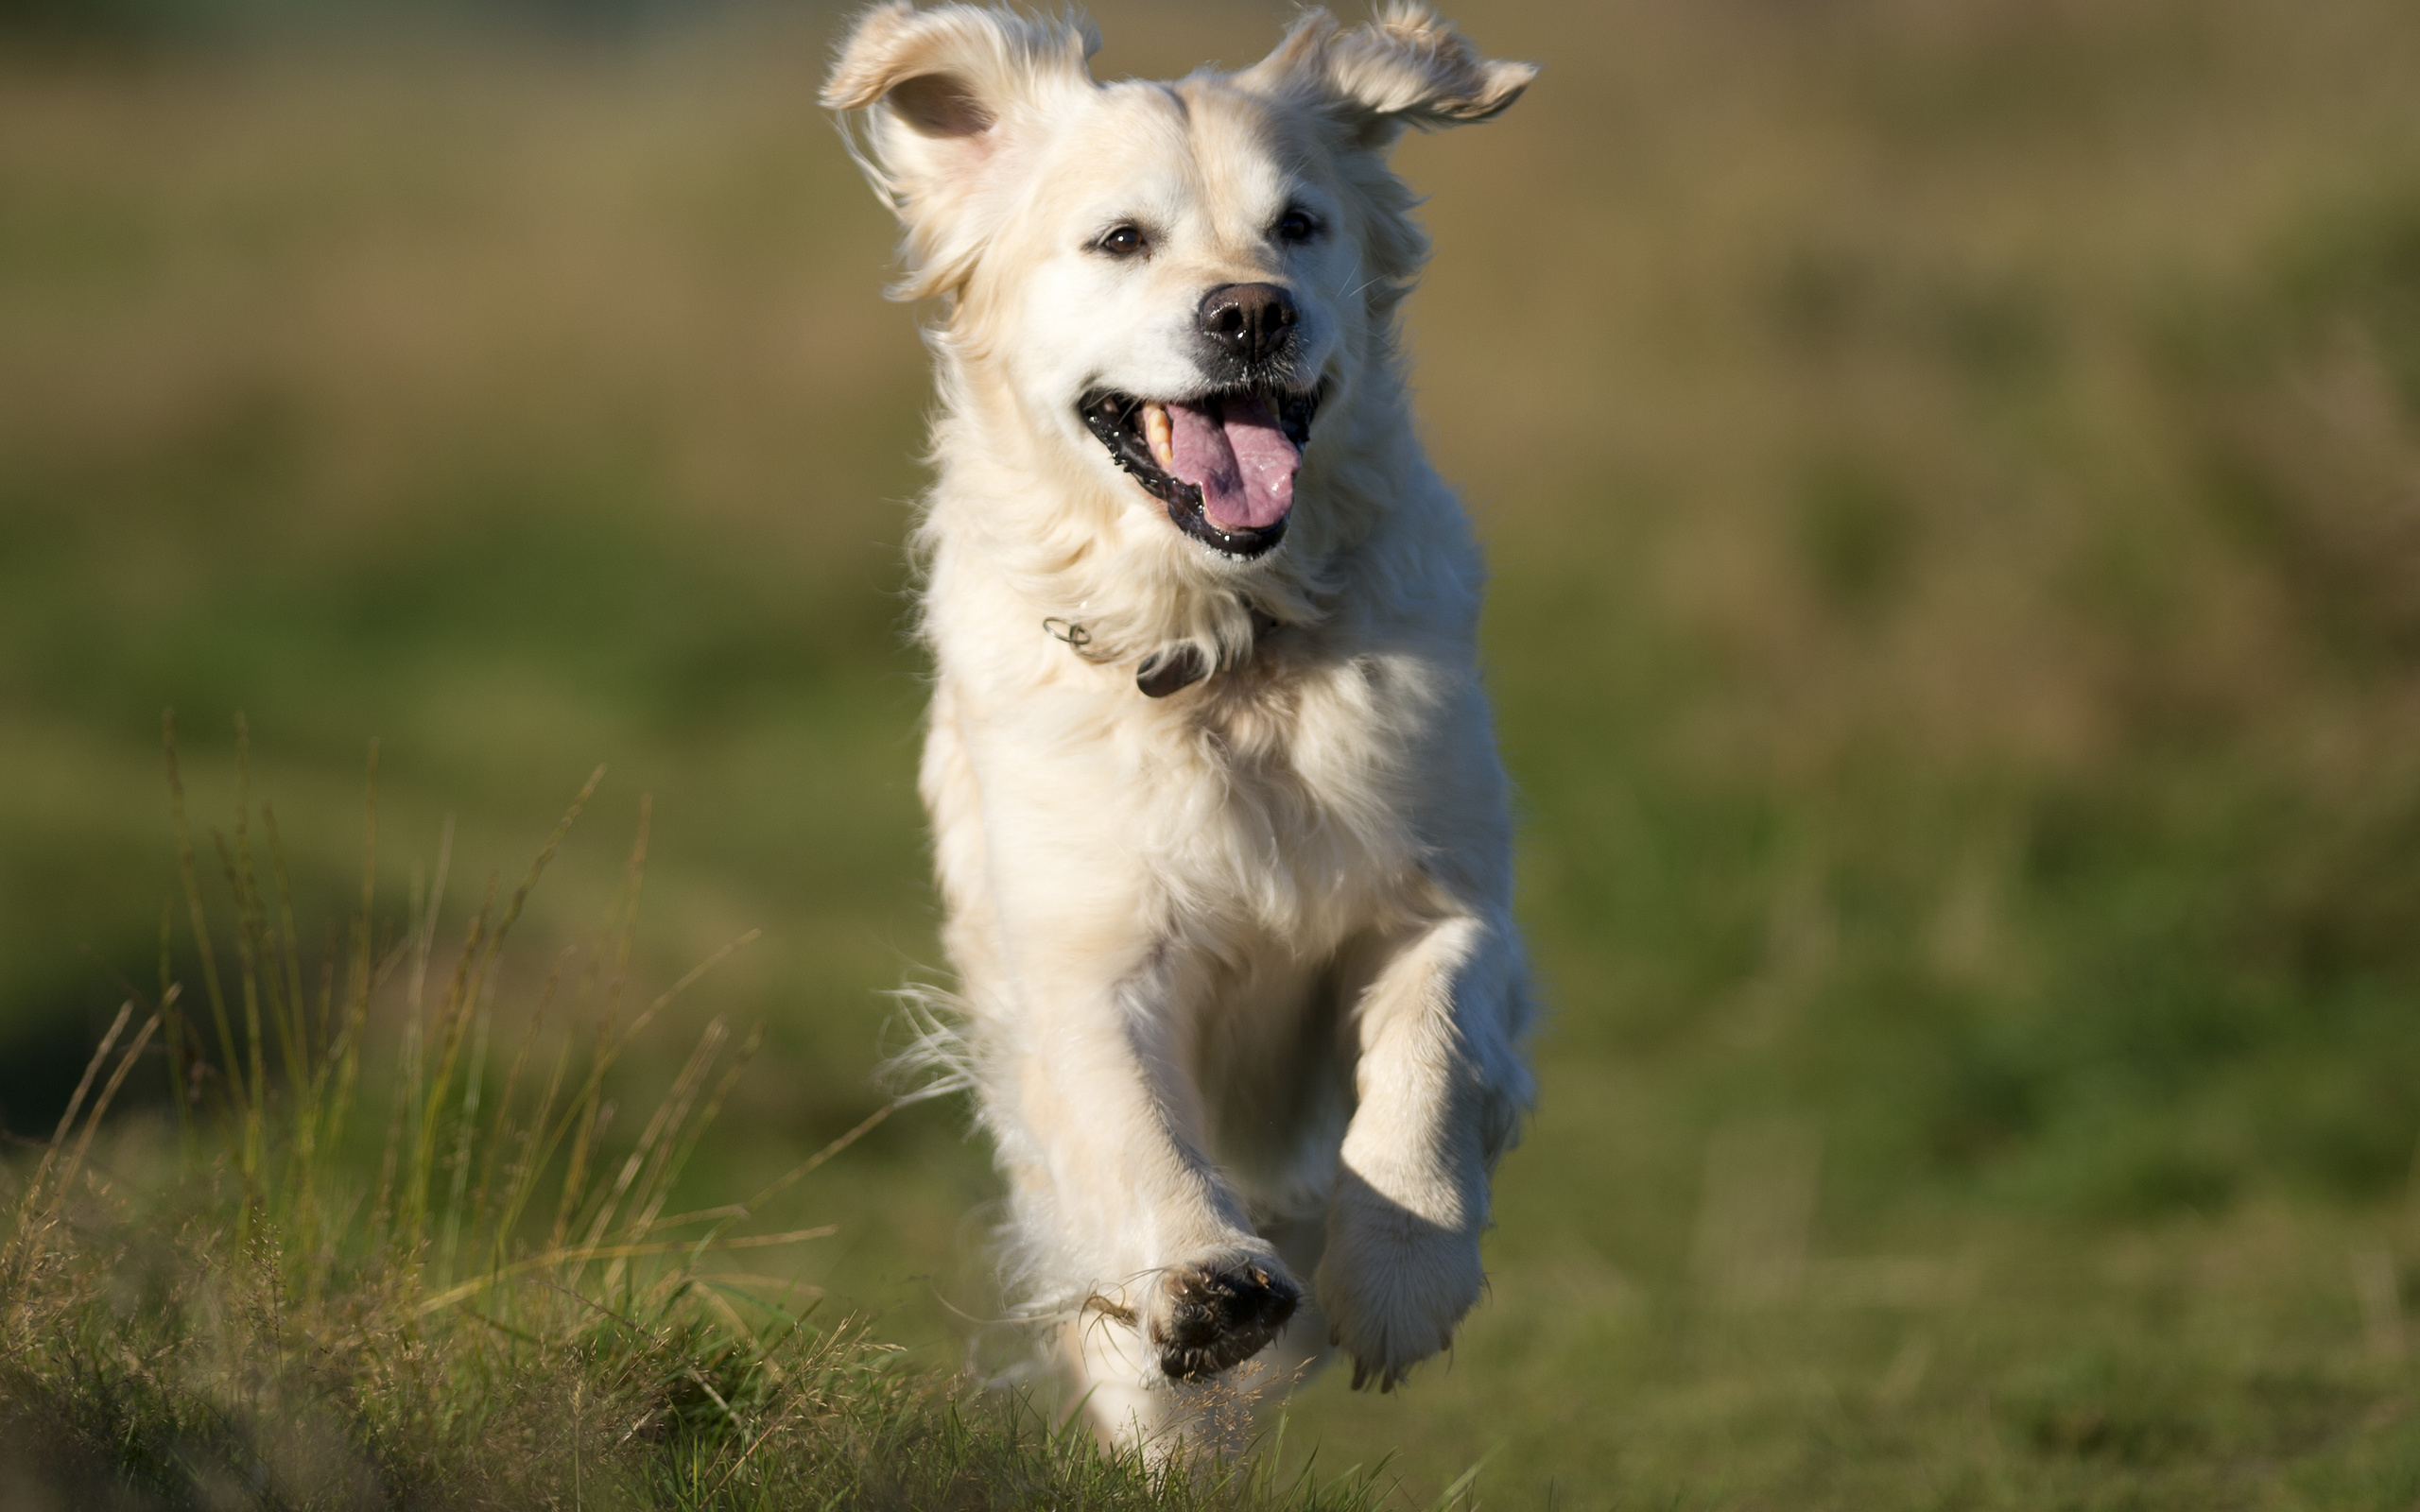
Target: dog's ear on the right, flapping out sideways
(1405, 69)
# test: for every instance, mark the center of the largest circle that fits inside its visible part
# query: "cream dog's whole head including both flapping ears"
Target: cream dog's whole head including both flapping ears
(1185, 282)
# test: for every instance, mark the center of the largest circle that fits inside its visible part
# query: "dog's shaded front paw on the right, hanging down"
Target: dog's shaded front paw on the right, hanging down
(1393, 1286)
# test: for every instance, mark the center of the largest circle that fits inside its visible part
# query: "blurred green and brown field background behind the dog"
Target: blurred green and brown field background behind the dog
(1952, 473)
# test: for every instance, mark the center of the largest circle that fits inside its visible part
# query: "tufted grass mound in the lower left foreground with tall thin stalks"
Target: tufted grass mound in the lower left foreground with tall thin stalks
(217, 1308)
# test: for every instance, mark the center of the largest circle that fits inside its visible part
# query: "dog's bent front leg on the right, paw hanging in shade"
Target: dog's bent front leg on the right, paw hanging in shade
(1441, 1090)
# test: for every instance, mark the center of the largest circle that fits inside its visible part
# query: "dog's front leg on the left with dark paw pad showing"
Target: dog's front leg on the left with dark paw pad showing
(1119, 1182)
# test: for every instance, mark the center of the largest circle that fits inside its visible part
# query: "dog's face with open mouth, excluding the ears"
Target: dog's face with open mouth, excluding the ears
(1180, 284)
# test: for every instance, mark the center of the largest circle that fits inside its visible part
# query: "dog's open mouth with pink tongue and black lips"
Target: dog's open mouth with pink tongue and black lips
(1223, 463)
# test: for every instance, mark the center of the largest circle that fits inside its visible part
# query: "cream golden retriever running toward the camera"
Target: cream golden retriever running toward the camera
(1218, 819)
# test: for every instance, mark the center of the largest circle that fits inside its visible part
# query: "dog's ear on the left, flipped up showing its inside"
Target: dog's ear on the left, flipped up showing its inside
(947, 100)
